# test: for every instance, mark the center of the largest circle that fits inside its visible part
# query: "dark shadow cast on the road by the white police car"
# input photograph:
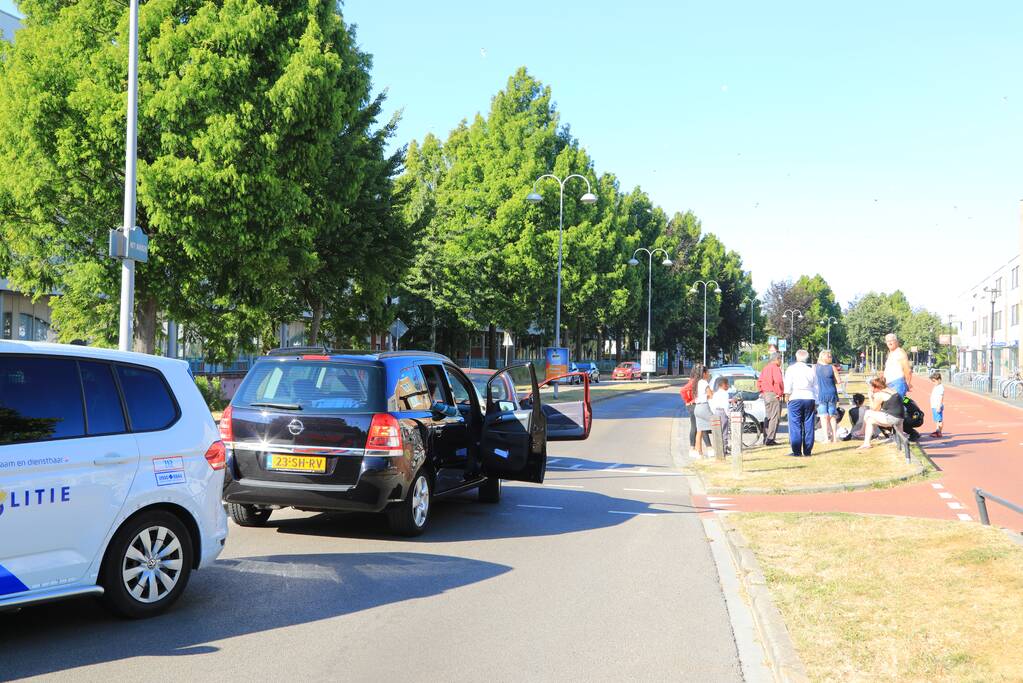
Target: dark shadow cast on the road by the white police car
(232, 599)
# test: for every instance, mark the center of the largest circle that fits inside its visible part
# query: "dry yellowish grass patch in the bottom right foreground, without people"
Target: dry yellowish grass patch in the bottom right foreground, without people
(873, 599)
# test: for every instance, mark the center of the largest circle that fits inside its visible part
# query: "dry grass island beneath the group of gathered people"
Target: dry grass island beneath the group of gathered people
(832, 465)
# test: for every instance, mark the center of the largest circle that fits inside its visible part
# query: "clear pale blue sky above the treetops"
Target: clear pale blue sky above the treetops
(879, 146)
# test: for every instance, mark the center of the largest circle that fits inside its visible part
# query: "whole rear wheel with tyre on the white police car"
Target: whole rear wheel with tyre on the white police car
(147, 553)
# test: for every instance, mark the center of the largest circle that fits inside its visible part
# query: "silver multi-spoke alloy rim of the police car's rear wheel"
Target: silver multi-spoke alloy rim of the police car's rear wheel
(152, 566)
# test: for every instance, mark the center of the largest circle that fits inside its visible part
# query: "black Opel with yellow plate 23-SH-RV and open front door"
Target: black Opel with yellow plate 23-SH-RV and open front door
(381, 433)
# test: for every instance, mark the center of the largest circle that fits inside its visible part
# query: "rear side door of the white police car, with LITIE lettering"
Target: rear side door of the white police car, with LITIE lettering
(67, 465)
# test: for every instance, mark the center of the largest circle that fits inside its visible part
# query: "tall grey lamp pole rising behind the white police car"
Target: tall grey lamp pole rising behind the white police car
(126, 333)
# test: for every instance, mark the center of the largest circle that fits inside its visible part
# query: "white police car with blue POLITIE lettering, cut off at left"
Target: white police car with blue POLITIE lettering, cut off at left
(111, 475)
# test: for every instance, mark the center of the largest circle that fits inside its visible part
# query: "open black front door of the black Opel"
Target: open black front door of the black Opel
(514, 443)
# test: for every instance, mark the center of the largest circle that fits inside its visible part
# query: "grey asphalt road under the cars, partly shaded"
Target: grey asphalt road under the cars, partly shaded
(604, 573)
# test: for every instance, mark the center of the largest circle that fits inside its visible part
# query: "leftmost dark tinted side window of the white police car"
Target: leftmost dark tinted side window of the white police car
(40, 399)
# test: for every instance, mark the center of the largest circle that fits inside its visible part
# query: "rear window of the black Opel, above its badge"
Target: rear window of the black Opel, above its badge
(326, 387)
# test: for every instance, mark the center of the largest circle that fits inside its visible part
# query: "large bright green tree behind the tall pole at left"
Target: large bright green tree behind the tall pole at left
(243, 105)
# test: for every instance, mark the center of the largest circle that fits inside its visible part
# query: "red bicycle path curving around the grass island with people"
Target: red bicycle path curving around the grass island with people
(983, 447)
